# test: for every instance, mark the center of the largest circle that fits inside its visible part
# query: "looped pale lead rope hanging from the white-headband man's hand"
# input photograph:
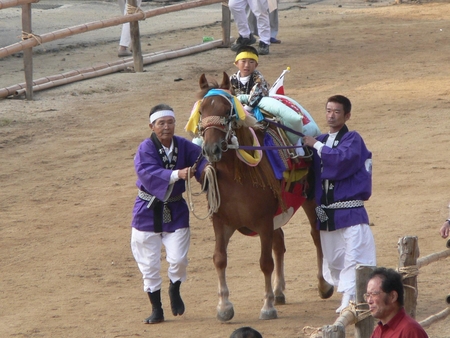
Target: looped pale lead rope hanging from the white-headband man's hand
(212, 192)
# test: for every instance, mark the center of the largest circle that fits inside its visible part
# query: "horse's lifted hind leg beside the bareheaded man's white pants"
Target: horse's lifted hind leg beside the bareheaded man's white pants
(325, 289)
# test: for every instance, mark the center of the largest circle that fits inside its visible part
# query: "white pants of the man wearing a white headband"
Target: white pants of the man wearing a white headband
(146, 248)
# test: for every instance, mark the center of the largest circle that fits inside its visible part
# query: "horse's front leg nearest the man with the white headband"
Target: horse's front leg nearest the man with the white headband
(225, 310)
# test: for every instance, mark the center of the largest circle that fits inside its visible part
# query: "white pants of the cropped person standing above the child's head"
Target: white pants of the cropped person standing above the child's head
(260, 9)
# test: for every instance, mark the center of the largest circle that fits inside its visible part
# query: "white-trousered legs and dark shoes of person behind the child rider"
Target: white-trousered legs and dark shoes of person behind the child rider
(260, 8)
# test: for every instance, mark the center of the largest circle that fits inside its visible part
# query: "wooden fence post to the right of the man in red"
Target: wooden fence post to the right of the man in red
(408, 250)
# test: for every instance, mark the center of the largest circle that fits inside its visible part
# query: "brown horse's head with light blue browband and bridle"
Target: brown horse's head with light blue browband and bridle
(217, 115)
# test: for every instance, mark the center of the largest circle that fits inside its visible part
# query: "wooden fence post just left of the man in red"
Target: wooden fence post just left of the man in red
(364, 327)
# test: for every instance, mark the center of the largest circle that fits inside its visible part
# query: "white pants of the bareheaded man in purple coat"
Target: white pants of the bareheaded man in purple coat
(342, 250)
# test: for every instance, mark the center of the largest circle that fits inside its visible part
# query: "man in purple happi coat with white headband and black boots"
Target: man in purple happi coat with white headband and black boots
(160, 215)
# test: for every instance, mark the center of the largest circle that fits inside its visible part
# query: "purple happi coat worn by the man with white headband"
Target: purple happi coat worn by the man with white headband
(153, 178)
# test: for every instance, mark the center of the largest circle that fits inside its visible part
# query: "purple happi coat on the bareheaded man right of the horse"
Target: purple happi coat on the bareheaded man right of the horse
(348, 167)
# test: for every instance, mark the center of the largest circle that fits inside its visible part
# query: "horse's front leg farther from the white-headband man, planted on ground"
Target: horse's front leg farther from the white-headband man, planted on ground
(268, 310)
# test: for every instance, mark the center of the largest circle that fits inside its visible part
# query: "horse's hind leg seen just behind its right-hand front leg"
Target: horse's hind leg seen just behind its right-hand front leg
(279, 282)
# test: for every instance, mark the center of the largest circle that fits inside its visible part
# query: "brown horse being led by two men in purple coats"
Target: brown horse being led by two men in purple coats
(250, 197)
